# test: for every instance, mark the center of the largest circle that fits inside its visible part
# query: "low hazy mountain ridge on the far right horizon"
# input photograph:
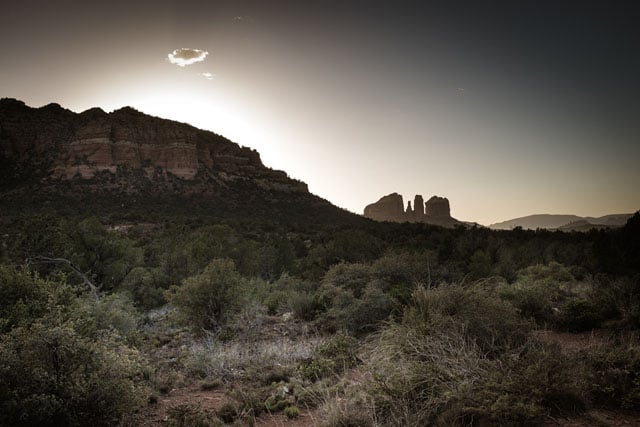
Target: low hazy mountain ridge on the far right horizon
(563, 222)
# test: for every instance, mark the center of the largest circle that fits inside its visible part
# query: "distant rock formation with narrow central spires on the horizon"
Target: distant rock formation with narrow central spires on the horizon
(389, 208)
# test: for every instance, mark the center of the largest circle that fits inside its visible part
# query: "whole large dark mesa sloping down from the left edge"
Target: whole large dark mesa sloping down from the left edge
(51, 156)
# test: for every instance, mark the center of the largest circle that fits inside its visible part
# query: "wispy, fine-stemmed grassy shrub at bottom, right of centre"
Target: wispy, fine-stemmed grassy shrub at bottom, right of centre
(419, 373)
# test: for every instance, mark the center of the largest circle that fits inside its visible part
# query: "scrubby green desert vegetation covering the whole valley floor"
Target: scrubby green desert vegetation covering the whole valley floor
(378, 324)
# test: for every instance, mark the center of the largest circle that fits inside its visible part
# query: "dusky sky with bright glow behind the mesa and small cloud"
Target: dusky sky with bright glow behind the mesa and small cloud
(507, 108)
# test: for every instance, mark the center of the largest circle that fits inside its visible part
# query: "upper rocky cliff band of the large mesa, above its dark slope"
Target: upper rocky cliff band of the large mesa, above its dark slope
(55, 144)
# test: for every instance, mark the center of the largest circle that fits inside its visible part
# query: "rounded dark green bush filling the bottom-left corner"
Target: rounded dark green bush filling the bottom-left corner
(51, 375)
